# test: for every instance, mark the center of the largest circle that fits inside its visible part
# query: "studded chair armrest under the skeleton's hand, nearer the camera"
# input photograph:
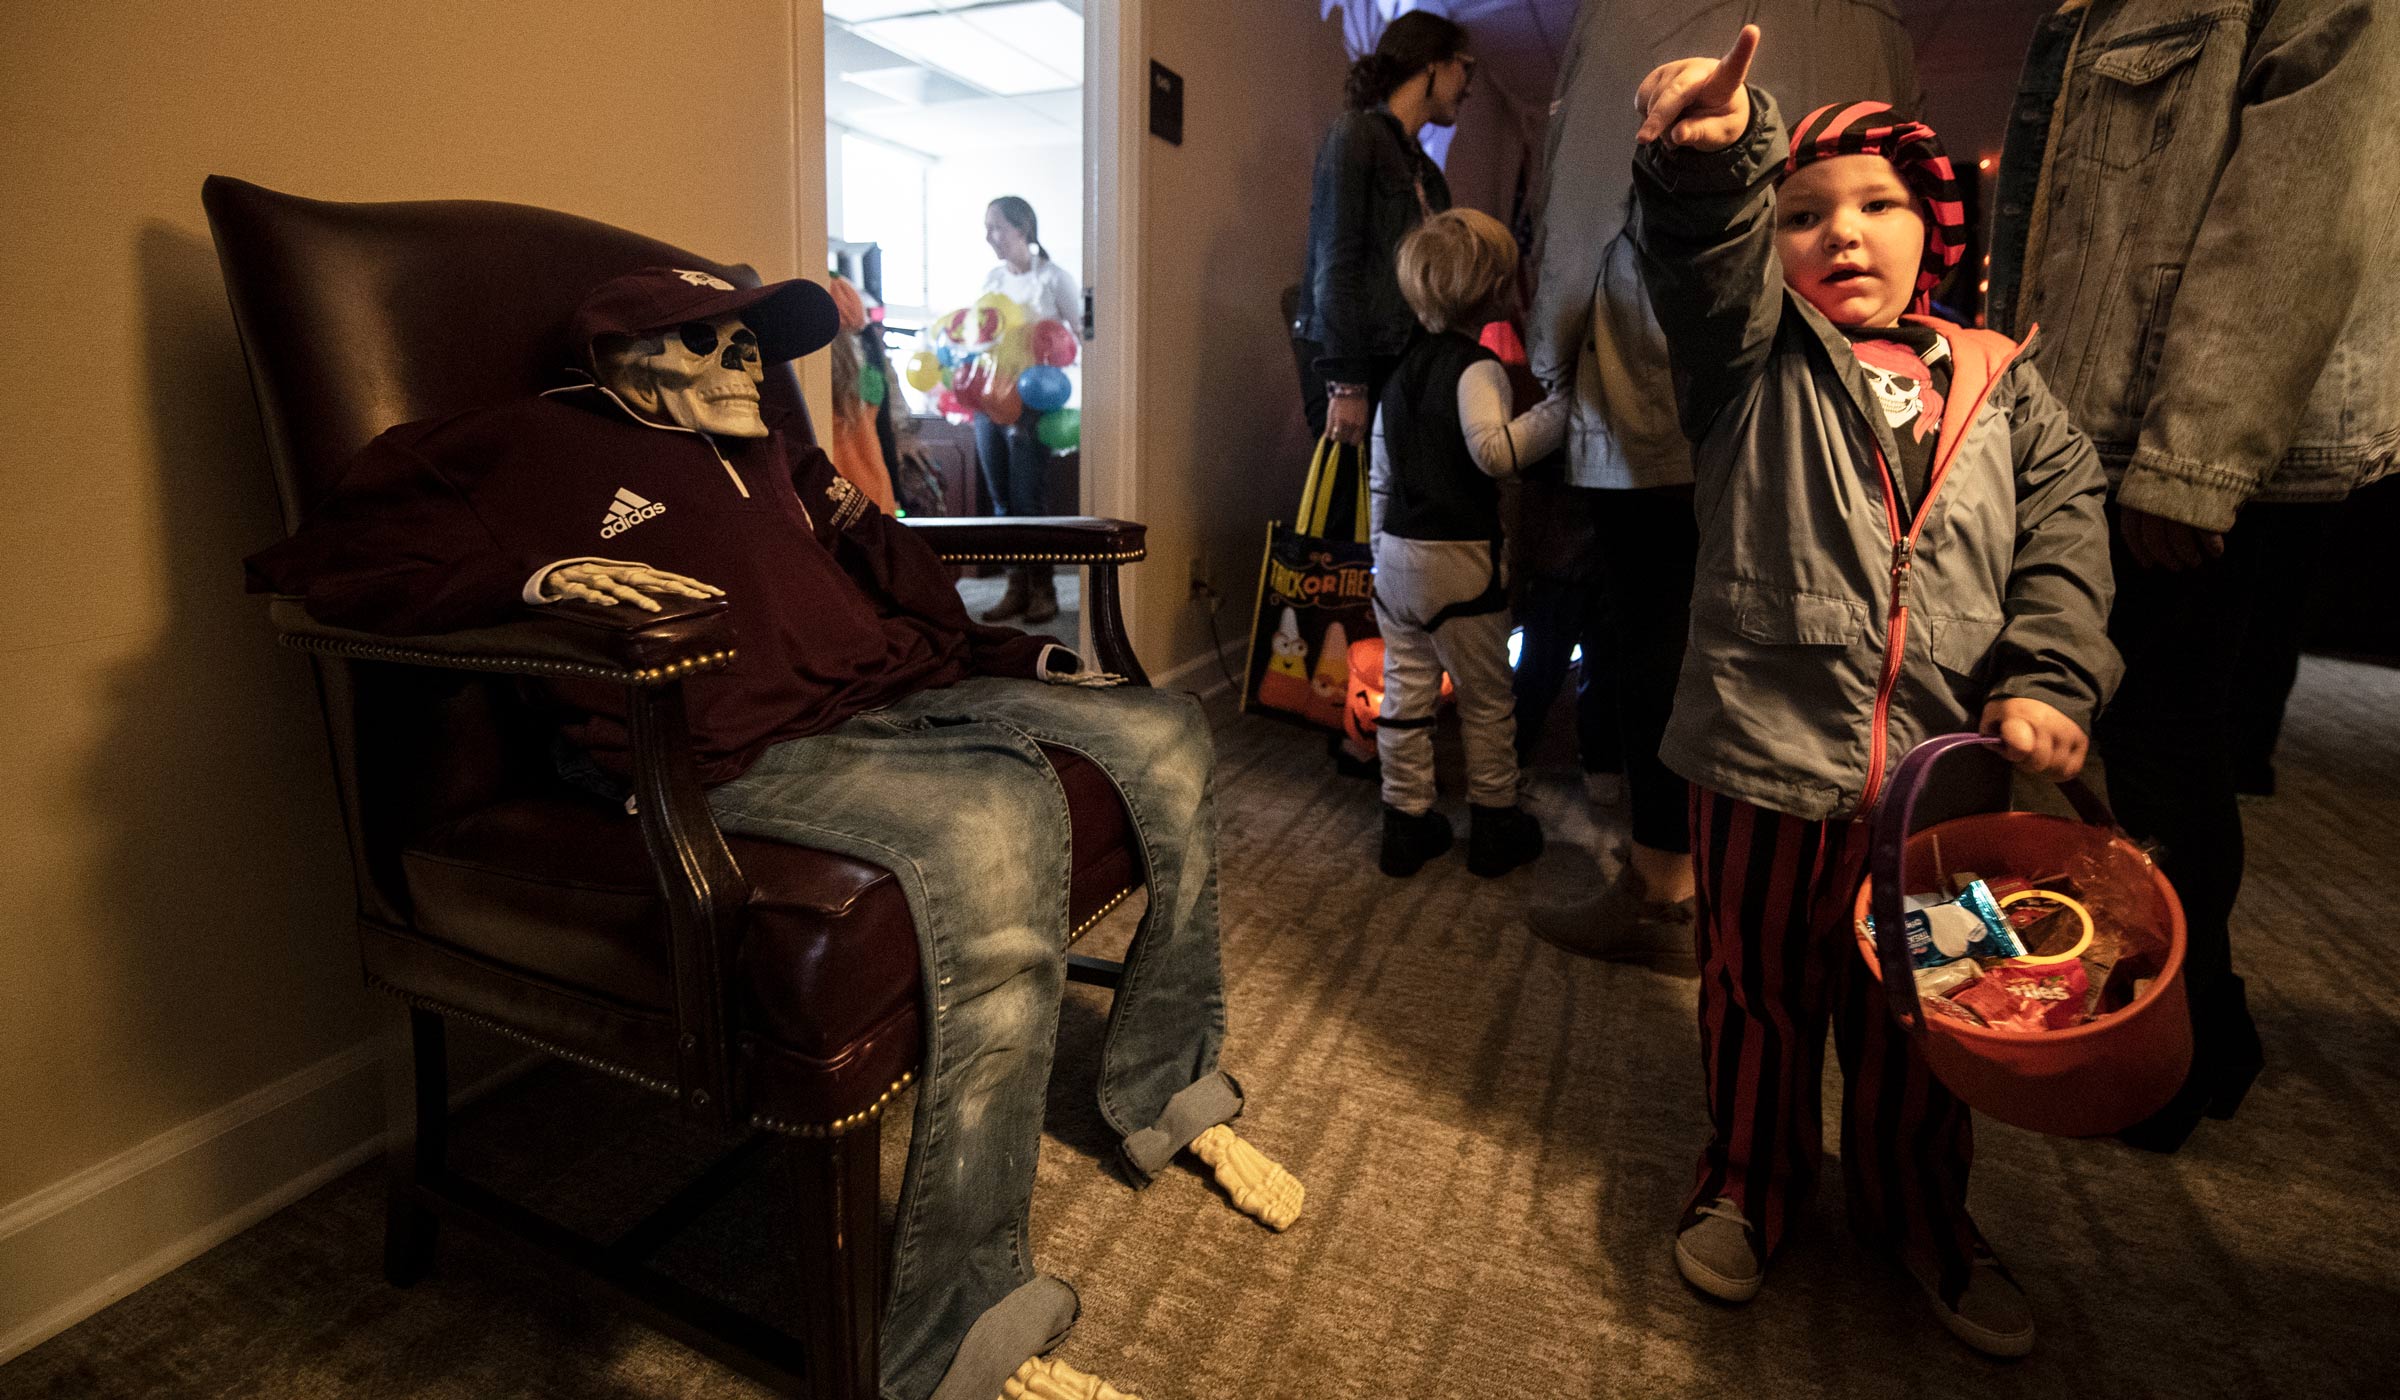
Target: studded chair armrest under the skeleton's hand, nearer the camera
(570, 640)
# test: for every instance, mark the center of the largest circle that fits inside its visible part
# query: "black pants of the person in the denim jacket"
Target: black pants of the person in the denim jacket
(2168, 743)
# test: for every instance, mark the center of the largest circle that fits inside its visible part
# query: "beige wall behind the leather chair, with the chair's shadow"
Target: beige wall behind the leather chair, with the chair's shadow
(174, 897)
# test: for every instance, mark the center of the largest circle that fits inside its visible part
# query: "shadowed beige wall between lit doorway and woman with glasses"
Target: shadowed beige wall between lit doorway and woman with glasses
(1225, 227)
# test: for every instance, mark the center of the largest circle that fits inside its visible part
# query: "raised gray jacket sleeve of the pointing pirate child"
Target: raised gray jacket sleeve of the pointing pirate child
(1705, 232)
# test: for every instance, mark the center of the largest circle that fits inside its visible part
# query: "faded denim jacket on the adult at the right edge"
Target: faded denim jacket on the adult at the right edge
(2219, 253)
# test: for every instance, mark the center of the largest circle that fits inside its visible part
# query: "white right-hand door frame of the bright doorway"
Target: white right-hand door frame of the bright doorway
(1115, 136)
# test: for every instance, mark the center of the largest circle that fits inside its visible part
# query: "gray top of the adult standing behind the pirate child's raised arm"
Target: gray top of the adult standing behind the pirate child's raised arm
(1592, 321)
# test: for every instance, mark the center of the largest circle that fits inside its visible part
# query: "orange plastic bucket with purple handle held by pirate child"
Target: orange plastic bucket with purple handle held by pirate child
(2080, 1082)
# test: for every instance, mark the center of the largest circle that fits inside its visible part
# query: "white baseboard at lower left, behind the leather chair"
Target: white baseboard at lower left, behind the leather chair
(85, 1243)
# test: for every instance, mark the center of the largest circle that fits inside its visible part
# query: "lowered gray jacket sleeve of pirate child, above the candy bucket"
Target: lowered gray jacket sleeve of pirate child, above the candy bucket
(2053, 645)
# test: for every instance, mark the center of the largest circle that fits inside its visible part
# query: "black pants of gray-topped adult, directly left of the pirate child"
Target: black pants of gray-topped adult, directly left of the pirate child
(1648, 551)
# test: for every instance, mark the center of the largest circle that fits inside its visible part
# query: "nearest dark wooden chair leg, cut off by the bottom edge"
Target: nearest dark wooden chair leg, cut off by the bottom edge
(841, 1260)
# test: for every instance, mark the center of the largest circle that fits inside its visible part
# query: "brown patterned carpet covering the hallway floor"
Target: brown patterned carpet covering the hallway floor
(1496, 1142)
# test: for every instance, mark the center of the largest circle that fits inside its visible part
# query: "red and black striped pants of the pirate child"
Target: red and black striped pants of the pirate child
(1777, 962)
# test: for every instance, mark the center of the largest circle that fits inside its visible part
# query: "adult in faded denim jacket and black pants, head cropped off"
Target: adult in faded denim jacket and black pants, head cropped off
(2197, 203)
